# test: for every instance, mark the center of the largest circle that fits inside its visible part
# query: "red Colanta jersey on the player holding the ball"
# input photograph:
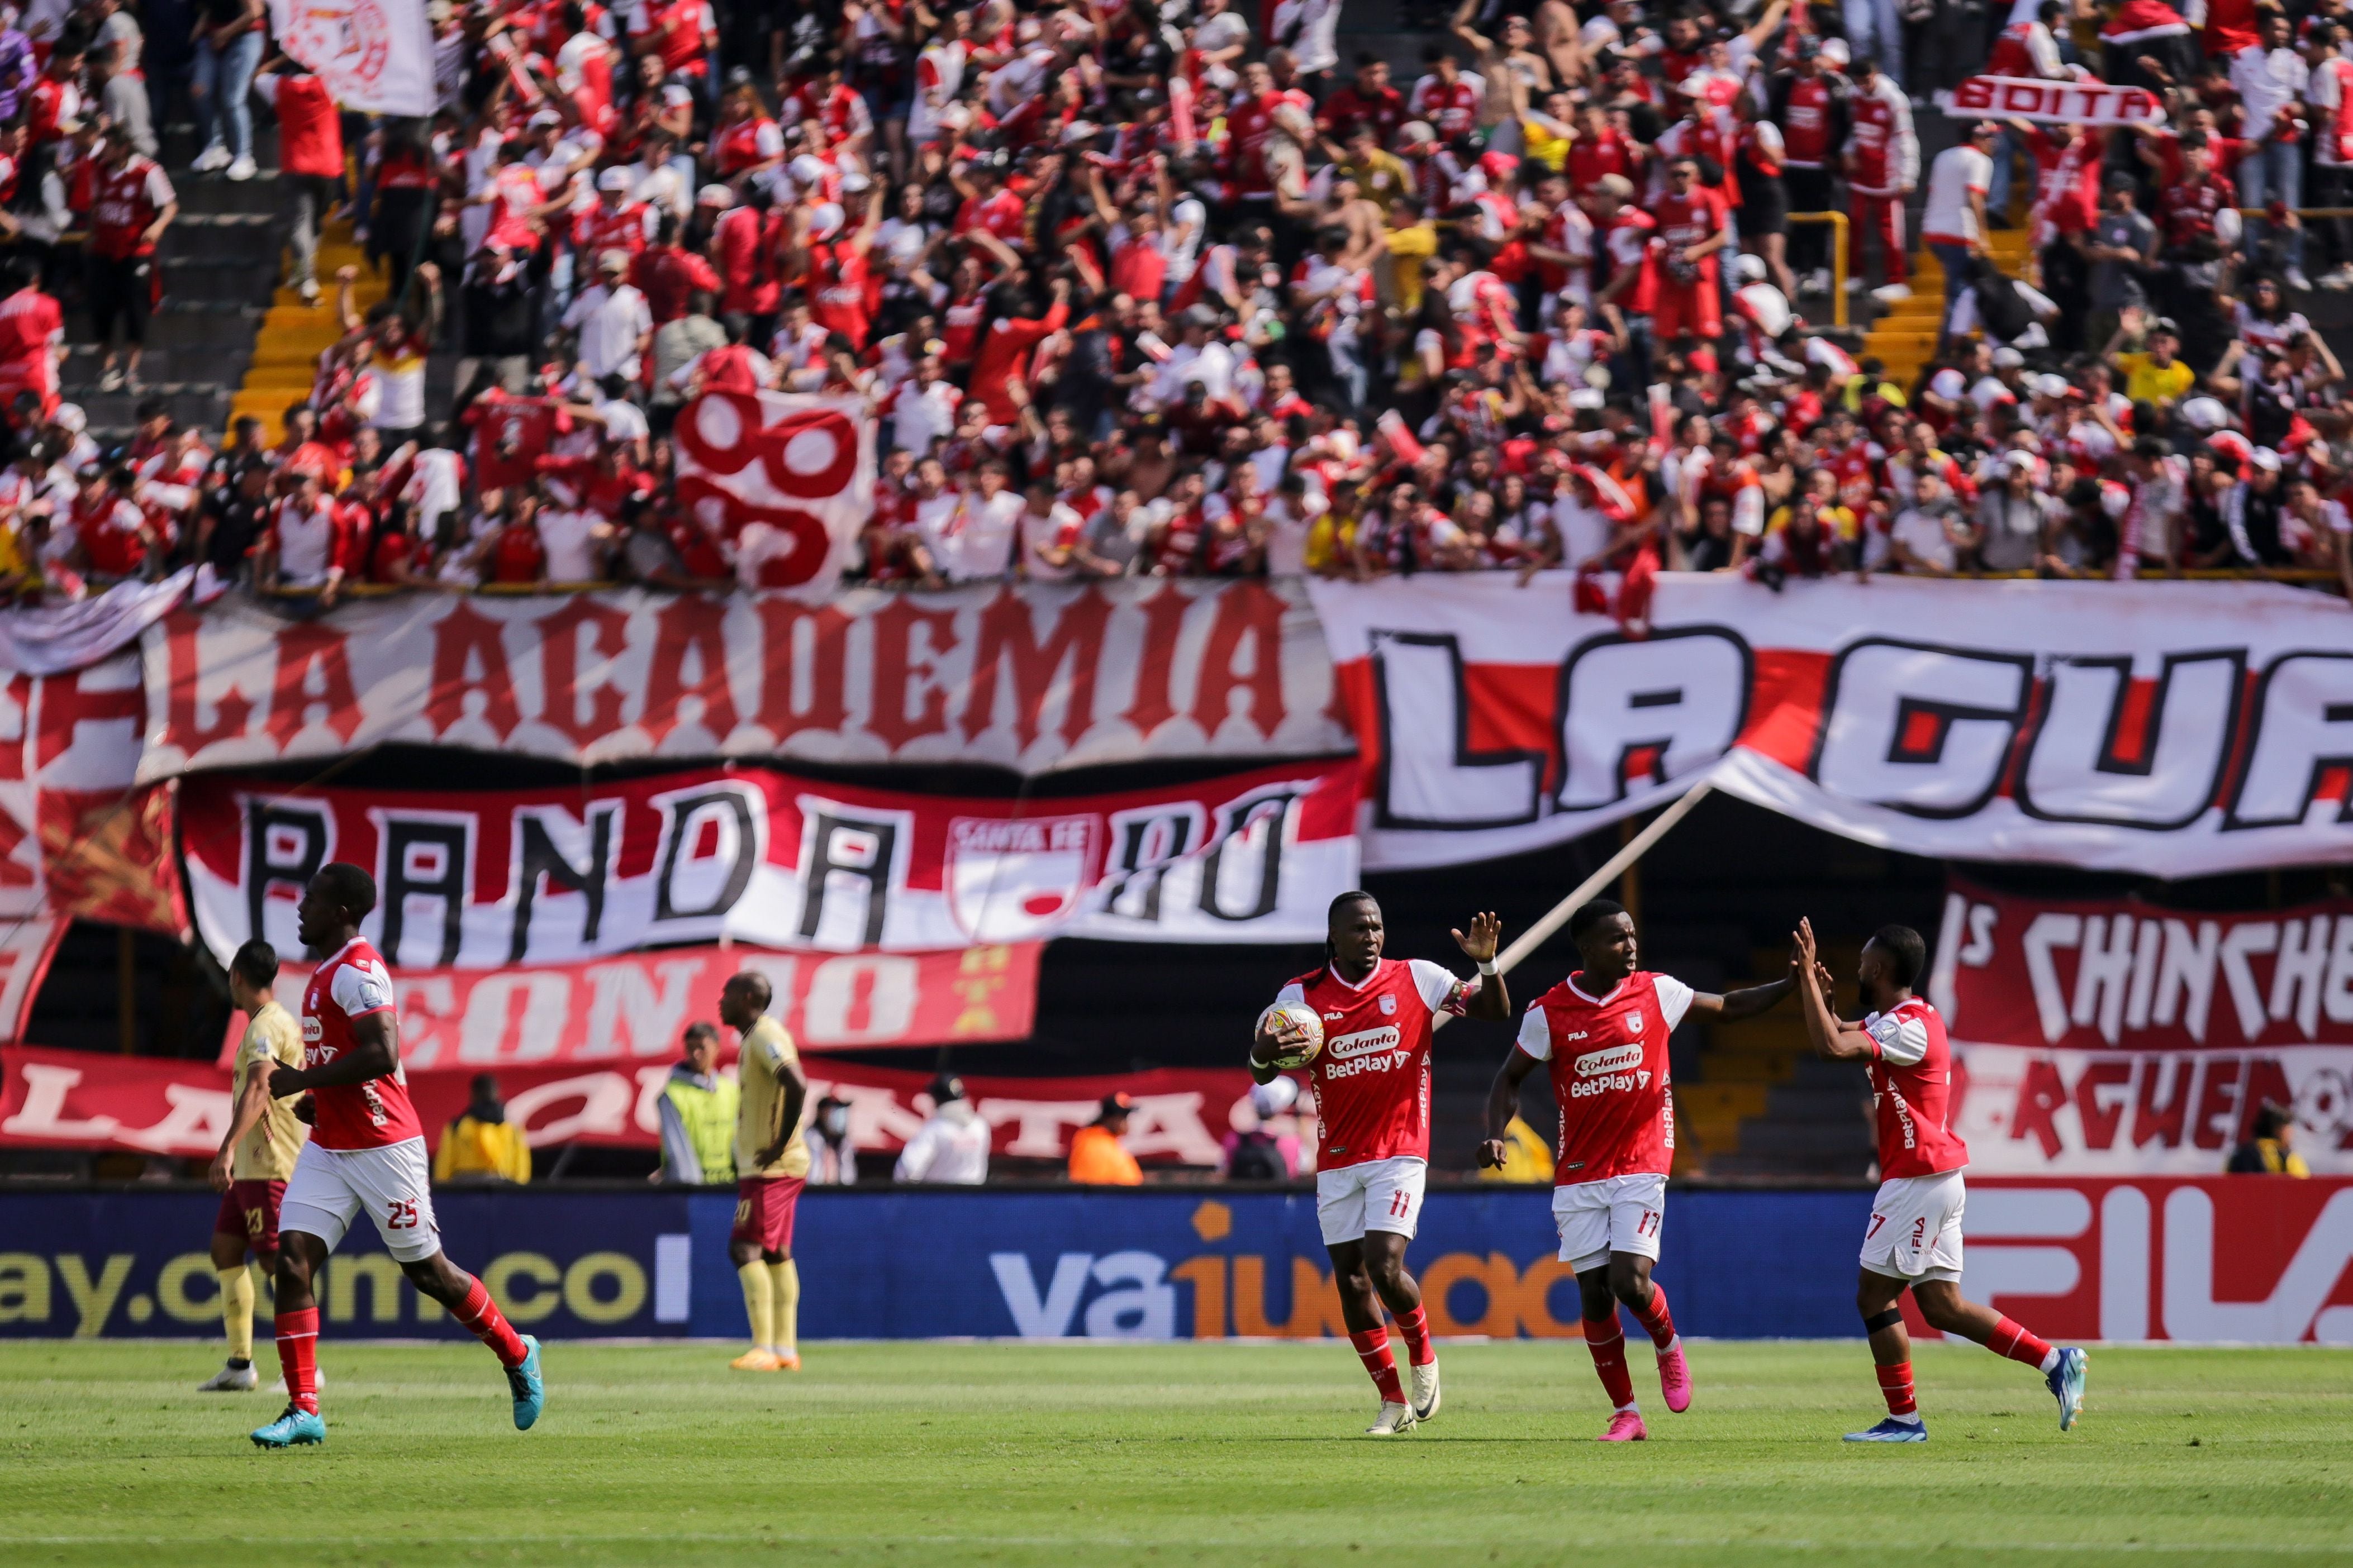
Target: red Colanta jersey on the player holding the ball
(1373, 1078)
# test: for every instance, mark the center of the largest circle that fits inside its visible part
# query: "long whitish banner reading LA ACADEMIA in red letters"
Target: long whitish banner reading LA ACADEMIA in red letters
(1027, 678)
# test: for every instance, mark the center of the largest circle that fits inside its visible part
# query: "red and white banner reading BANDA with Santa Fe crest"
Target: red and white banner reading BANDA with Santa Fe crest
(500, 878)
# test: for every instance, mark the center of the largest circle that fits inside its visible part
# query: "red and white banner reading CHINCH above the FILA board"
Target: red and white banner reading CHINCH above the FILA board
(2114, 1036)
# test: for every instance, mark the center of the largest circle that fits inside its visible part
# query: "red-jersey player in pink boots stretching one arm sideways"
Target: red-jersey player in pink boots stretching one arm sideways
(1604, 1038)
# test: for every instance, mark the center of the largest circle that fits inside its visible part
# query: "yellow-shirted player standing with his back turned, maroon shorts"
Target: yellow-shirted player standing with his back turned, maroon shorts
(773, 1165)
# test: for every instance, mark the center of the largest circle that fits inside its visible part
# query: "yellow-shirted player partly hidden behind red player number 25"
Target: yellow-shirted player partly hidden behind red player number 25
(251, 1172)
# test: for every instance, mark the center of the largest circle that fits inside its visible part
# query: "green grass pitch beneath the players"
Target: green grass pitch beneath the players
(1166, 1454)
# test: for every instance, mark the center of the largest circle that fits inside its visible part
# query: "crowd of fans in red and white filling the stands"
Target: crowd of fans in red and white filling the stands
(1175, 290)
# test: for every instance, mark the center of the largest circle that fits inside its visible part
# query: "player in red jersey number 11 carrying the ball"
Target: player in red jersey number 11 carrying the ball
(1373, 1111)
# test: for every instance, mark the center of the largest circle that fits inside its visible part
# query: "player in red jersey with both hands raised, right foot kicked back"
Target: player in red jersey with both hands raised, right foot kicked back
(1914, 1233)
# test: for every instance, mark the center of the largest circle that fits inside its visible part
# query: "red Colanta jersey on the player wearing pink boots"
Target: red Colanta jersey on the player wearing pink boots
(1611, 1078)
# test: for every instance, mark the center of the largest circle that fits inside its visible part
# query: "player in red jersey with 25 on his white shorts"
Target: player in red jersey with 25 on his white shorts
(366, 1151)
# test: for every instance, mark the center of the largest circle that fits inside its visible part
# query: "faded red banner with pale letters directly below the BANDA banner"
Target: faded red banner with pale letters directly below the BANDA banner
(636, 1007)
